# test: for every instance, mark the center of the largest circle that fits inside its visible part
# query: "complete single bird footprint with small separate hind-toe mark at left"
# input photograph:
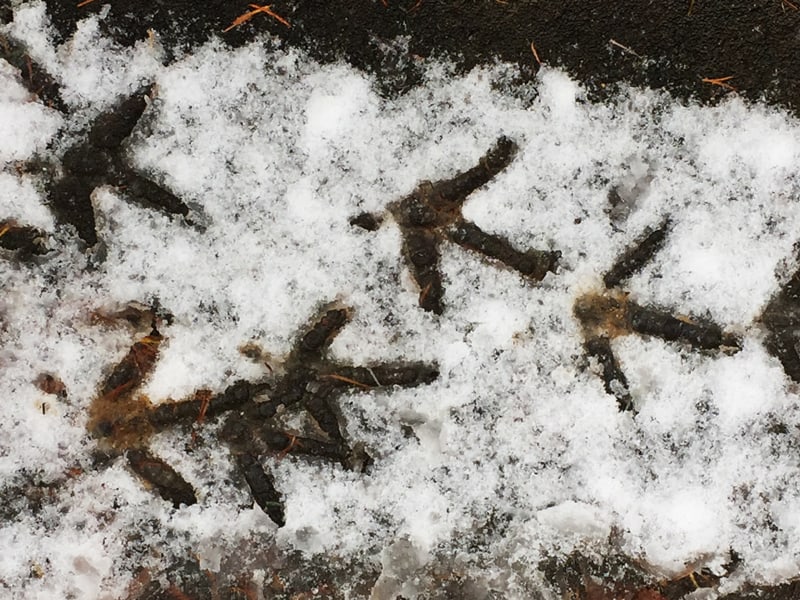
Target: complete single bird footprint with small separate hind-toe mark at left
(432, 213)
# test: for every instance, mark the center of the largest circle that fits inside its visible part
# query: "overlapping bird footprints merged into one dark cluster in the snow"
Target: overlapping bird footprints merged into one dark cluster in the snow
(309, 382)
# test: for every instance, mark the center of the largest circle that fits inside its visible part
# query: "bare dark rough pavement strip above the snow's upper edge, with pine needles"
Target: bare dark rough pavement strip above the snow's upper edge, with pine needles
(678, 43)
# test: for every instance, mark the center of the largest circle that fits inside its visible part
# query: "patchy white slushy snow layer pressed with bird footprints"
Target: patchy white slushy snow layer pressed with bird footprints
(516, 453)
